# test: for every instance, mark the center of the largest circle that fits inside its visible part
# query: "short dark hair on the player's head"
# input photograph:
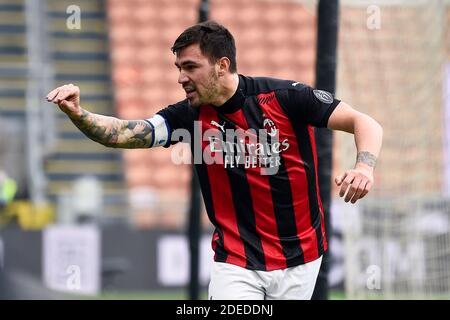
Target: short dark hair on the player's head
(214, 39)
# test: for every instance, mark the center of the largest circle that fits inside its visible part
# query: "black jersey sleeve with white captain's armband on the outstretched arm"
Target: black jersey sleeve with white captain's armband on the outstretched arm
(169, 119)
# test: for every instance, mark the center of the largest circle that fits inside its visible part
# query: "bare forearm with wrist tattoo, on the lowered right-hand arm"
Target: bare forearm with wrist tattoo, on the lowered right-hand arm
(368, 138)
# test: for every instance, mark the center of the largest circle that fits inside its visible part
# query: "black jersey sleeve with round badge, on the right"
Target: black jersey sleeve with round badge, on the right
(311, 106)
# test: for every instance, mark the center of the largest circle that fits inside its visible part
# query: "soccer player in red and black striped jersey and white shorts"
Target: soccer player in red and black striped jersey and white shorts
(255, 156)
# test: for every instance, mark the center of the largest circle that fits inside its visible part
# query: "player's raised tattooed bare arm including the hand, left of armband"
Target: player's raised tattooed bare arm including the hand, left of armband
(108, 131)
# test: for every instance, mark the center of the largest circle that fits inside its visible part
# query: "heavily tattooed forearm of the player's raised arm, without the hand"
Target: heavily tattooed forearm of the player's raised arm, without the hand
(113, 132)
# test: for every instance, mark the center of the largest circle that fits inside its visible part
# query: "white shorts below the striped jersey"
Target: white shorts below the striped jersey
(230, 282)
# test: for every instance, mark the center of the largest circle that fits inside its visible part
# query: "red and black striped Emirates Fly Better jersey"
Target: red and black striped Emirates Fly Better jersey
(264, 219)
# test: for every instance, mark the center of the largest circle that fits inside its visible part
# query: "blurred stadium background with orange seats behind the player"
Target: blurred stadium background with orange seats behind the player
(110, 223)
